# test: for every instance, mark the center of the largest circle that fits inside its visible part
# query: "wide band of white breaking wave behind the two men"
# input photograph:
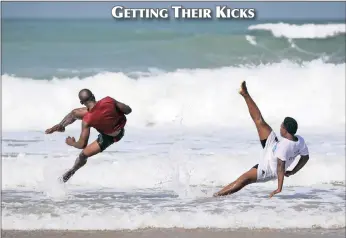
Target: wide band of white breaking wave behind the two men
(312, 92)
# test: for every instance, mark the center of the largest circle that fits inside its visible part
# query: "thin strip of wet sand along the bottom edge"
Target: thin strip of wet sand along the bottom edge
(175, 233)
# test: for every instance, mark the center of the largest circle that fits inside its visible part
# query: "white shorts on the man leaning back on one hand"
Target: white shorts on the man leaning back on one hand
(264, 171)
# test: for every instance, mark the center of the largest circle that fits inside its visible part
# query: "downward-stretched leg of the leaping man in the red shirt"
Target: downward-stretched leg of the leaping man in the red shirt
(81, 160)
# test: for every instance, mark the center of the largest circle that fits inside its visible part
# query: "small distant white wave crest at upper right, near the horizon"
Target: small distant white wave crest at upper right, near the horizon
(305, 31)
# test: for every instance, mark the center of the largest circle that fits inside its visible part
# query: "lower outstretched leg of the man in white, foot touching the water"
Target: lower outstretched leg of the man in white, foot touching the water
(244, 180)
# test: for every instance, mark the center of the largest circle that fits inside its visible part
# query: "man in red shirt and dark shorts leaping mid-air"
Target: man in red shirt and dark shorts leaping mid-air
(107, 116)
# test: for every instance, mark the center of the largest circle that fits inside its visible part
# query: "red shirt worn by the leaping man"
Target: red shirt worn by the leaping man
(104, 116)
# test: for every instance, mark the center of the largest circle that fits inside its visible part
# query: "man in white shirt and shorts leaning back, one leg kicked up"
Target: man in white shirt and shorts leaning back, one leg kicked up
(276, 157)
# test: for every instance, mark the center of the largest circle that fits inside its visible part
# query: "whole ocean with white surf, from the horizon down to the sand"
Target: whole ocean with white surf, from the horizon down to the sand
(189, 134)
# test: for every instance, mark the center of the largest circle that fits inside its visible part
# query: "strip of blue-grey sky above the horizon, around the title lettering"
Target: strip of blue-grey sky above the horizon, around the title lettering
(265, 10)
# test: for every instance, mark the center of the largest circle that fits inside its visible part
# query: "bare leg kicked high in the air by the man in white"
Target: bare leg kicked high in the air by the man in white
(263, 128)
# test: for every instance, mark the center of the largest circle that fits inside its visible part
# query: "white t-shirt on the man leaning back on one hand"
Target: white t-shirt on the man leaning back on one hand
(287, 150)
